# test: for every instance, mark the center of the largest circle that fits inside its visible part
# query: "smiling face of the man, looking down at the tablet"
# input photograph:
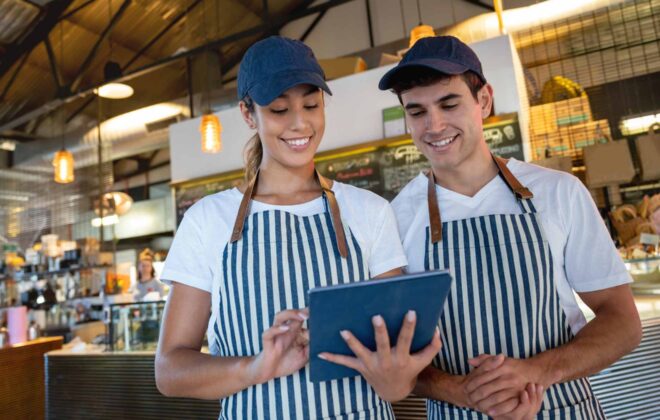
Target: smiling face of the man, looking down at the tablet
(445, 122)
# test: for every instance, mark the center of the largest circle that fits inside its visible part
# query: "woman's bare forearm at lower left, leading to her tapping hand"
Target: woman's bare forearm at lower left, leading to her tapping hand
(190, 373)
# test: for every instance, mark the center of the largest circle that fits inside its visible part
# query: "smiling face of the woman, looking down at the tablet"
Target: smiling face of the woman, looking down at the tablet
(290, 127)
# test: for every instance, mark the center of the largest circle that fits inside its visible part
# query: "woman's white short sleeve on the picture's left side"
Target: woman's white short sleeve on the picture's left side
(186, 260)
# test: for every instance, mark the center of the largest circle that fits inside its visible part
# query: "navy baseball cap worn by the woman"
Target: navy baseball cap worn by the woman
(275, 64)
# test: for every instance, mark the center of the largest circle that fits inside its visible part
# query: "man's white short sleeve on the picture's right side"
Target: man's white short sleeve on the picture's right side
(591, 261)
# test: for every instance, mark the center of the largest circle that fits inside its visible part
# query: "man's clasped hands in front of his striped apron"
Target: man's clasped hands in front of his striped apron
(500, 389)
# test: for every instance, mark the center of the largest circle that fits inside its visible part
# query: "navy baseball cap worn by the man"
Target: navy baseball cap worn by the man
(445, 54)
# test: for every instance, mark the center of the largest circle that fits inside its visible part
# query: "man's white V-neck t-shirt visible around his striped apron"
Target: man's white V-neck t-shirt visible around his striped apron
(583, 253)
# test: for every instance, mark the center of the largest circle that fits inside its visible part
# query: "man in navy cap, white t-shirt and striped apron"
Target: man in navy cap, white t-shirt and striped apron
(518, 240)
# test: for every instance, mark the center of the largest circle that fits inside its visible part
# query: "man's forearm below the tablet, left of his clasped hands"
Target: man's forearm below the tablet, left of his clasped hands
(439, 385)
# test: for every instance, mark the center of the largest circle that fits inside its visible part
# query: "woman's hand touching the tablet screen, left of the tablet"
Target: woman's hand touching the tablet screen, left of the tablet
(285, 347)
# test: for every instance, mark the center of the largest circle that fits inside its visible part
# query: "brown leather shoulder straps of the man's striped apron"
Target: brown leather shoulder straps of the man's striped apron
(521, 193)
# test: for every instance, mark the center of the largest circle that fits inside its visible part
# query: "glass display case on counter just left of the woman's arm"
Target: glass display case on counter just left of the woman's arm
(134, 326)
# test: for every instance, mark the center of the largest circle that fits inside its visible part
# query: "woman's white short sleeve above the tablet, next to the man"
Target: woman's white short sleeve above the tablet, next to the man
(386, 249)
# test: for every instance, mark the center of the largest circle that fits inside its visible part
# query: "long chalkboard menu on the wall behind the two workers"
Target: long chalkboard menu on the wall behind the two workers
(383, 167)
